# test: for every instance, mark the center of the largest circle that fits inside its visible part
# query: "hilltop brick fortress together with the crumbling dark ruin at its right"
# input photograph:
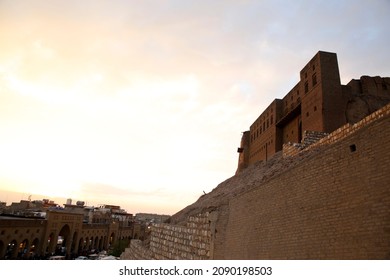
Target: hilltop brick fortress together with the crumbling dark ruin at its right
(318, 102)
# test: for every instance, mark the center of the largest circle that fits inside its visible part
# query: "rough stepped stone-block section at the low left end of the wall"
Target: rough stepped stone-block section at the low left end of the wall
(194, 241)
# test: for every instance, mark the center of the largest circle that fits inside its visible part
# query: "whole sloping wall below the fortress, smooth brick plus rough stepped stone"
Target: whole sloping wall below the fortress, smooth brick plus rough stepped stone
(324, 200)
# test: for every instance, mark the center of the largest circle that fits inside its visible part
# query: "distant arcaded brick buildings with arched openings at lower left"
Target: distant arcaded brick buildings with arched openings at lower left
(69, 230)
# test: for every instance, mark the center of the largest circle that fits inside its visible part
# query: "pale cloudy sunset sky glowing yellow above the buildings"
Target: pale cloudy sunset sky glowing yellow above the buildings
(142, 103)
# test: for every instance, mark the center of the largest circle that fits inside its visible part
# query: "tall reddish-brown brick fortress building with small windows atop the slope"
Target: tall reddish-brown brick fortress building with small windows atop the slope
(315, 103)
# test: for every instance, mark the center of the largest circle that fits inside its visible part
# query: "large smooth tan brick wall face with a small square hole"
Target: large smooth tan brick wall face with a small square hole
(334, 205)
